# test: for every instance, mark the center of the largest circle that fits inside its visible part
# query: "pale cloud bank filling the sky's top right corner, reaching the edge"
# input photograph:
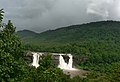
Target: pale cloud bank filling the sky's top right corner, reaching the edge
(107, 9)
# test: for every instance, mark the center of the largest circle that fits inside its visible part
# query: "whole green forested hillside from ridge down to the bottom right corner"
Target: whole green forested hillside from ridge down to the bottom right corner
(95, 46)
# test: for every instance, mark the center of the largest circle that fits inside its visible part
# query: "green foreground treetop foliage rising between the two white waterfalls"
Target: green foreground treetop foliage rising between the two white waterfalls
(46, 72)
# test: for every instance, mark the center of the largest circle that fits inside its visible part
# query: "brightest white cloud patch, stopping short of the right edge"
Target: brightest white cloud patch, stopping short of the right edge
(99, 7)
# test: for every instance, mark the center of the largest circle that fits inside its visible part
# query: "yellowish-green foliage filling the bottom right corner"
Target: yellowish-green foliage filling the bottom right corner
(105, 73)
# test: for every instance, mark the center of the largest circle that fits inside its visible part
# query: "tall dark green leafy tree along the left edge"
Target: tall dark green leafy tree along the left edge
(11, 62)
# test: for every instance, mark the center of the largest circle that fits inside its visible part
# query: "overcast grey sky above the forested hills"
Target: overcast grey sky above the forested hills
(41, 15)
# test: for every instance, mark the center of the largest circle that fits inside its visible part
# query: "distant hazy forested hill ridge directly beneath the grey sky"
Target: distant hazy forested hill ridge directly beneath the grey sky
(103, 30)
